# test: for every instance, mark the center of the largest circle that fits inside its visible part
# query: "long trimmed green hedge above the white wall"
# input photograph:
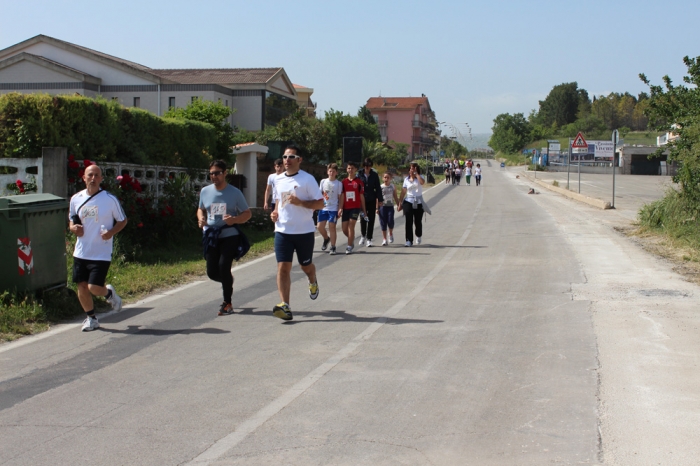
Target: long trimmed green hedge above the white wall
(101, 130)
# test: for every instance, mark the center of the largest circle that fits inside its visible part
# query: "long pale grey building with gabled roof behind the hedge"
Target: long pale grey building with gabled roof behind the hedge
(260, 96)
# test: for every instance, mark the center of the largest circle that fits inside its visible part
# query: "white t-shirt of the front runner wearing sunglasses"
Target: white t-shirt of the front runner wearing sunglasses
(294, 219)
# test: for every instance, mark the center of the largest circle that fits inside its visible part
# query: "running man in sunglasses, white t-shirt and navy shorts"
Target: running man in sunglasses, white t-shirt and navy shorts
(299, 196)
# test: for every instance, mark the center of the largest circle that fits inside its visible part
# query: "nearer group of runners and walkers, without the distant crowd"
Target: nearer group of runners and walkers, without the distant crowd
(95, 216)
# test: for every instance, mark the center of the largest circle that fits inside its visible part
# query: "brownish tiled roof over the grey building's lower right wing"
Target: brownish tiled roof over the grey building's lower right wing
(219, 75)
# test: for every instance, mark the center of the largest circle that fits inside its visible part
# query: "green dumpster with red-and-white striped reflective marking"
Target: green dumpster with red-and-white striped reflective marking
(33, 242)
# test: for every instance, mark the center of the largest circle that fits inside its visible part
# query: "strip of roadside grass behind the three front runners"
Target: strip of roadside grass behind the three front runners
(29, 313)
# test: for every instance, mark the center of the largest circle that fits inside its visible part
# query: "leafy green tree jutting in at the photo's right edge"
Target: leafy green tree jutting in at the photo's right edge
(677, 109)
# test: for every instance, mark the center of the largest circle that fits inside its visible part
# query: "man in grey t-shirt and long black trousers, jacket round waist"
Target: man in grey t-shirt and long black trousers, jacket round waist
(221, 208)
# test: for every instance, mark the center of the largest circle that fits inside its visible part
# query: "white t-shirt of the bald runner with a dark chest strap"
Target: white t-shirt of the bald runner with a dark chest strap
(103, 209)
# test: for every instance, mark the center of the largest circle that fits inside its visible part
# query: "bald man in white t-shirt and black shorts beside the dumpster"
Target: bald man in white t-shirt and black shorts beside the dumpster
(95, 216)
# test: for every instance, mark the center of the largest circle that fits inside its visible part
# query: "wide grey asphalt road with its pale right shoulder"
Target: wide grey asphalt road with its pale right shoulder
(489, 343)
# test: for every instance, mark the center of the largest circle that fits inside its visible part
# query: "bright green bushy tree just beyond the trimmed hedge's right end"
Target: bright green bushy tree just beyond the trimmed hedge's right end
(214, 113)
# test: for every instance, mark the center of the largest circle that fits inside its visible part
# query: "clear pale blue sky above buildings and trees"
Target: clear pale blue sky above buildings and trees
(473, 59)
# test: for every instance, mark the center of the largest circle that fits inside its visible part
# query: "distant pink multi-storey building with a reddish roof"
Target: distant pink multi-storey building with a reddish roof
(409, 120)
